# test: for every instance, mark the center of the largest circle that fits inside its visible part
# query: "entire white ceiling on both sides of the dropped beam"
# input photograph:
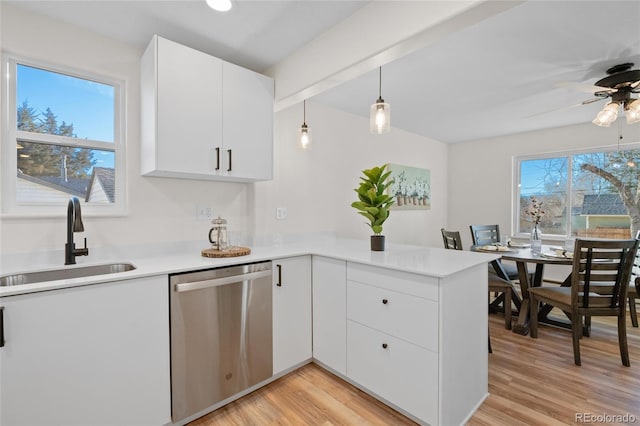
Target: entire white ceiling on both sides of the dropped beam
(492, 78)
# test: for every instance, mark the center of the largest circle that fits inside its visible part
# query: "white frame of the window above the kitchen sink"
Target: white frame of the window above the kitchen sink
(10, 207)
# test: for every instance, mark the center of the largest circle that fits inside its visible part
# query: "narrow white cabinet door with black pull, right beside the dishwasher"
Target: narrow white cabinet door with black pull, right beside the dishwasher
(291, 312)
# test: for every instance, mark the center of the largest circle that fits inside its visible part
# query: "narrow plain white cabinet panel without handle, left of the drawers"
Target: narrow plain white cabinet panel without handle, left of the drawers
(330, 312)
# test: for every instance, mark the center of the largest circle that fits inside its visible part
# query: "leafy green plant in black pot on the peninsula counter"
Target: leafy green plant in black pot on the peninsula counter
(373, 202)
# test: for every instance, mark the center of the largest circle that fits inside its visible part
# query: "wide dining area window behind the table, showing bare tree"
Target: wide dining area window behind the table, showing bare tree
(586, 194)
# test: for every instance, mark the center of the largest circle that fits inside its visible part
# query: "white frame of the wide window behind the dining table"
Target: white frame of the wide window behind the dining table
(515, 207)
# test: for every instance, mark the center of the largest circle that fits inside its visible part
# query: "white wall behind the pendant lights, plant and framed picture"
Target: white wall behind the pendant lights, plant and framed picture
(316, 186)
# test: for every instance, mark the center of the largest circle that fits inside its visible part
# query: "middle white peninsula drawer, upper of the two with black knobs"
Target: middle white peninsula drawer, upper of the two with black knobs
(407, 317)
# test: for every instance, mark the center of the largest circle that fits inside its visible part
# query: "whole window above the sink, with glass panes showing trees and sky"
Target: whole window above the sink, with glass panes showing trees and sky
(63, 138)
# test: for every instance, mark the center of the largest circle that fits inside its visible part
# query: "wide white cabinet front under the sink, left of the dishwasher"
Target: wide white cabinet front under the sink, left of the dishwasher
(97, 354)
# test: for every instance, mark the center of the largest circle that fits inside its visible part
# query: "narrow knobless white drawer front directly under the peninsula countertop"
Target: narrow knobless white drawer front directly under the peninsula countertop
(404, 282)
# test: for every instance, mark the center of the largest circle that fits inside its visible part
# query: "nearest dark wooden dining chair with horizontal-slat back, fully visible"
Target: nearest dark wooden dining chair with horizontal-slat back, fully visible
(595, 262)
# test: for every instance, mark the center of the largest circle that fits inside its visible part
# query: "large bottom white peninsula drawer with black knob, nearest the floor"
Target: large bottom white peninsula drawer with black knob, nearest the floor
(403, 374)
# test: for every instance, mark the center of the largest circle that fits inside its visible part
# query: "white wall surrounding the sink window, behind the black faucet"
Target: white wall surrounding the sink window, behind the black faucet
(160, 210)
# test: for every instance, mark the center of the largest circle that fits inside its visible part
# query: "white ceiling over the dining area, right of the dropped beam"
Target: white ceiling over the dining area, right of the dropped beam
(497, 76)
